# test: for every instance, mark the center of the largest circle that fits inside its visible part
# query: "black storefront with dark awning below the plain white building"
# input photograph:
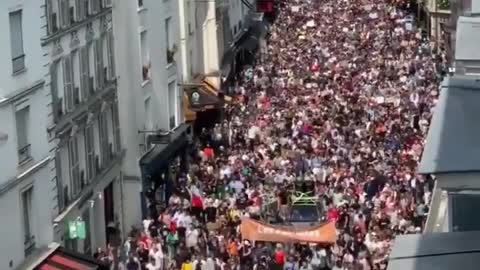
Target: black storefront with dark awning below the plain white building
(162, 165)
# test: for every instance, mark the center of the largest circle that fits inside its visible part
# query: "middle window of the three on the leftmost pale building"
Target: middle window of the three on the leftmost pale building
(22, 122)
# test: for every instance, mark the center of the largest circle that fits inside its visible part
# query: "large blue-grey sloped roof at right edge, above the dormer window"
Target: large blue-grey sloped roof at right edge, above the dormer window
(453, 141)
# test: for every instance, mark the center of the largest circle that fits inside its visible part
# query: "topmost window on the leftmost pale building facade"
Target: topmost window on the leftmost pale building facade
(16, 41)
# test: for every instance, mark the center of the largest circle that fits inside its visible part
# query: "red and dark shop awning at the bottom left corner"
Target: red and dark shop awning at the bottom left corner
(61, 259)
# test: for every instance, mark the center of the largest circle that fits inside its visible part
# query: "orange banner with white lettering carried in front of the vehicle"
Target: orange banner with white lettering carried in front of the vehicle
(256, 231)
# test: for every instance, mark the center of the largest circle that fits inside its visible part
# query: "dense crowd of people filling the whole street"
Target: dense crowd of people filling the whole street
(342, 97)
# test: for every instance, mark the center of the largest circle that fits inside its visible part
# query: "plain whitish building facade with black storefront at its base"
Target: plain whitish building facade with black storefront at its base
(149, 74)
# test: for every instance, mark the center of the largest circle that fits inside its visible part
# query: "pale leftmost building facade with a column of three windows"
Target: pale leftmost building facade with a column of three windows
(26, 179)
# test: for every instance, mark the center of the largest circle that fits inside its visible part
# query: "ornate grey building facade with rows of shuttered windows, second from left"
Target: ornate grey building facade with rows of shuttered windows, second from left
(78, 49)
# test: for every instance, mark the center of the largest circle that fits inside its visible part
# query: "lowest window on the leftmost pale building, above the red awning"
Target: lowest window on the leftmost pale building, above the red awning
(27, 211)
